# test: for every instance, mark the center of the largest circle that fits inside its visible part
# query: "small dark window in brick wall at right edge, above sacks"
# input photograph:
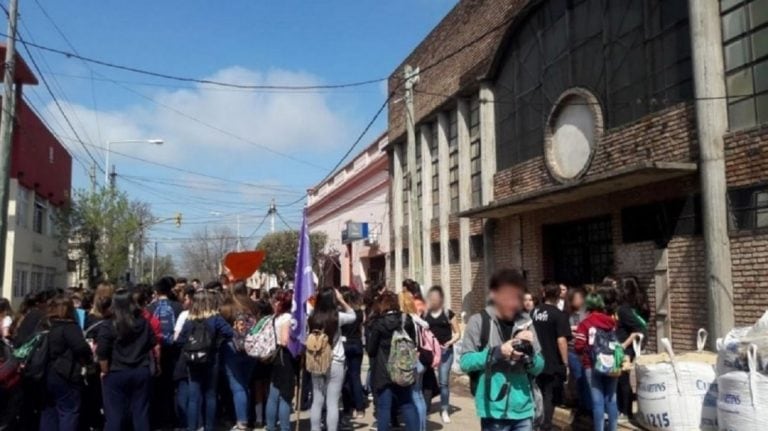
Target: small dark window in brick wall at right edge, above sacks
(748, 207)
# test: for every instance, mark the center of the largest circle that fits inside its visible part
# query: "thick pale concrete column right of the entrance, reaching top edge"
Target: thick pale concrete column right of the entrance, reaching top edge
(711, 124)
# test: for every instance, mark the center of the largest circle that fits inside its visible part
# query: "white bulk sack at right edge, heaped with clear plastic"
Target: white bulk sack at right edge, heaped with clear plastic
(742, 367)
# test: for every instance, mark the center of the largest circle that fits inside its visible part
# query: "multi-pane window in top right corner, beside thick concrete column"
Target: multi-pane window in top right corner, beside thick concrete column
(745, 47)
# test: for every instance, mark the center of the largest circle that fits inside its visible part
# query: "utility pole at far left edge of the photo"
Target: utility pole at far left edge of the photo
(6, 129)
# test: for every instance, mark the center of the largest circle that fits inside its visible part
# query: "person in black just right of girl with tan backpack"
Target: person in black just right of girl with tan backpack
(352, 337)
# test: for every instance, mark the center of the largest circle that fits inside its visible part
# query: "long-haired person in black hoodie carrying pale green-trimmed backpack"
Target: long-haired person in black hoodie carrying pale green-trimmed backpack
(389, 396)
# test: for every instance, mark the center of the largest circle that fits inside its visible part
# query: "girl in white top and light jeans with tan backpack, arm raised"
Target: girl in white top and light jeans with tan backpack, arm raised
(325, 355)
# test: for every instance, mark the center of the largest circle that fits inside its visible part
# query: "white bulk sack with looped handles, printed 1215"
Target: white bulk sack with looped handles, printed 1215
(674, 392)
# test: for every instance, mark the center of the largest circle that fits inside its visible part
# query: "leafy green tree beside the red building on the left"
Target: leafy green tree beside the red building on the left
(104, 231)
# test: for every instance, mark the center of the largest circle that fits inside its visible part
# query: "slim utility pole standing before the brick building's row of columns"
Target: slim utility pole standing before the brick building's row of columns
(411, 76)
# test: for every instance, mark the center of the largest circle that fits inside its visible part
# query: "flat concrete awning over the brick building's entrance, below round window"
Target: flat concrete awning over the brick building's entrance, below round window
(624, 178)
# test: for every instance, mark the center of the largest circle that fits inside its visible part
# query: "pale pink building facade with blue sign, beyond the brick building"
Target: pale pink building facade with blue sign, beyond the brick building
(352, 209)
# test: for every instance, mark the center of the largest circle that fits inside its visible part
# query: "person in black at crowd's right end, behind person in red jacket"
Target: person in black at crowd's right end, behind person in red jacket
(632, 317)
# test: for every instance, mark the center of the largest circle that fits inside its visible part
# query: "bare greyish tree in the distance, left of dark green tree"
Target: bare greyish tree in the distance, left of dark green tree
(202, 257)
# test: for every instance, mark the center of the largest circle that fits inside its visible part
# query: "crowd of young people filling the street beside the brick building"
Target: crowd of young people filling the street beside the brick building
(173, 356)
